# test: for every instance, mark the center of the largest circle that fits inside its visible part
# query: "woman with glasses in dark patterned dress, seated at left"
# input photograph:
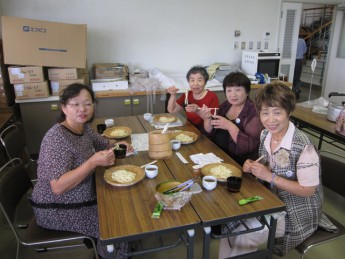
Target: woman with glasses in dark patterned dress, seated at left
(64, 197)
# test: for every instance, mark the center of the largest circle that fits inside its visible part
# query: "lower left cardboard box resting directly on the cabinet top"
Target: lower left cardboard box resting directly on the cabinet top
(31, 90)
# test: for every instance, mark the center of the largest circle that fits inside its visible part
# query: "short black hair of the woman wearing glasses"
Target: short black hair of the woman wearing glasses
(72, 91)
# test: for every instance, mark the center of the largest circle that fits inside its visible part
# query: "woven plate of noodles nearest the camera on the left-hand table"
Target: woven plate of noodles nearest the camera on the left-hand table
(124, 175)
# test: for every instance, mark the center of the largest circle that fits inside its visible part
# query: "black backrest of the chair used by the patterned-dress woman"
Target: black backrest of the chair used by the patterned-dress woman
(14, 184)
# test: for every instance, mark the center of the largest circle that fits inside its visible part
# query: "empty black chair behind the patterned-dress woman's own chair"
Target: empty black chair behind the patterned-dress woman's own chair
(13, 141)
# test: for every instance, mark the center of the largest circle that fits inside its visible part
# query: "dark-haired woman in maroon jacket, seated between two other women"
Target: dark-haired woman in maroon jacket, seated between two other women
(236, 127)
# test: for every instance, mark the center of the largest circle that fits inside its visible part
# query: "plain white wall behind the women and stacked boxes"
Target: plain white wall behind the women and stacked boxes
(172, 35)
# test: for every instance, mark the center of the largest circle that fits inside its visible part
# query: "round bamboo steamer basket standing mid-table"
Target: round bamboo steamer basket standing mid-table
(159, 145)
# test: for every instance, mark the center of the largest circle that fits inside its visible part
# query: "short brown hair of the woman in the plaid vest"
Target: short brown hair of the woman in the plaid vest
(276, 94)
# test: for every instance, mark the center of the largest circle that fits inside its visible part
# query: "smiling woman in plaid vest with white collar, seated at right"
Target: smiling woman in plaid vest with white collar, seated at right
(290, 164)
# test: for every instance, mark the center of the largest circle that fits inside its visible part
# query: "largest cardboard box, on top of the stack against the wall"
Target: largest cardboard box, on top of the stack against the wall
(43, 43)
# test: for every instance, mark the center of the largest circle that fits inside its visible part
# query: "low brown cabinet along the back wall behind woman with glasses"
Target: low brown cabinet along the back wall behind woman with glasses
(39, 115)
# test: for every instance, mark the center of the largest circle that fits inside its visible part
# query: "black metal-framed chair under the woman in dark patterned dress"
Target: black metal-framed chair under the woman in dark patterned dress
(14, 184)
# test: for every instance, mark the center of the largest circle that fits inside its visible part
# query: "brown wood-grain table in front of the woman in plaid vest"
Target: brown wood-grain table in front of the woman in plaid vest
(220, 206)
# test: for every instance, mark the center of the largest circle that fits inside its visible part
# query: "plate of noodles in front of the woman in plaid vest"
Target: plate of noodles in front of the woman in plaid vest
(221, 171)
